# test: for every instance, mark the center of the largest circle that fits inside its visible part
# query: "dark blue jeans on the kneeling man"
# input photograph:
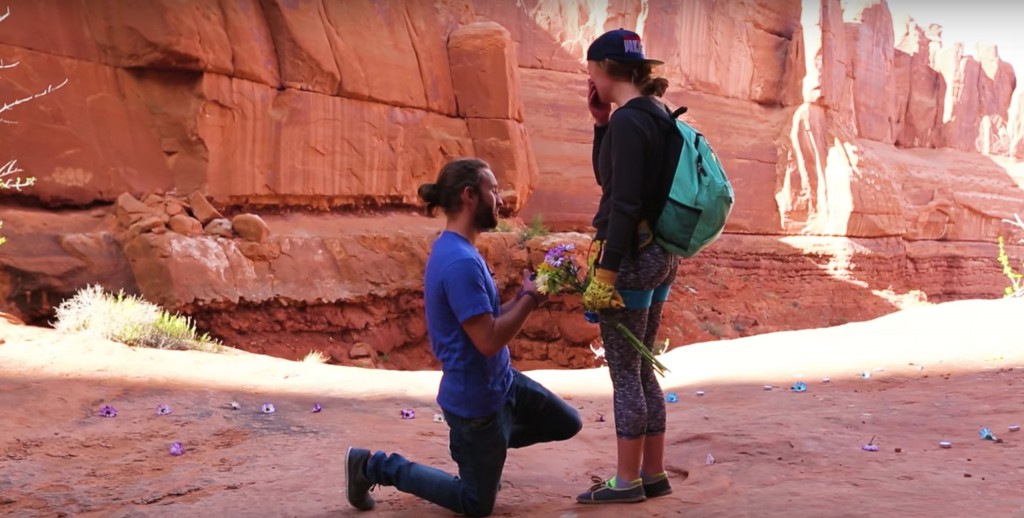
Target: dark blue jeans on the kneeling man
(532, 415)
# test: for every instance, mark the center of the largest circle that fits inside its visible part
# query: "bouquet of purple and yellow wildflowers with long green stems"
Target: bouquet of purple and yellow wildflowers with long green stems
(560, 274)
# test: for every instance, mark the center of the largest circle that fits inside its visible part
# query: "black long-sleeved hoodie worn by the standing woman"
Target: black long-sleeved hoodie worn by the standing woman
(635, 156)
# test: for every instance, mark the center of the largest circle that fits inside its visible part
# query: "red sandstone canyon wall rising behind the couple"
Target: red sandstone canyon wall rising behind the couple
(873, 162)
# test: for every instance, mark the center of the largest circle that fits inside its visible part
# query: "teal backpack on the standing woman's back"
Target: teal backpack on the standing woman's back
(701, 198)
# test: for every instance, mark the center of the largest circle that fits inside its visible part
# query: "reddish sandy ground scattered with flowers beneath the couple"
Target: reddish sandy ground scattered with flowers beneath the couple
(937, 373)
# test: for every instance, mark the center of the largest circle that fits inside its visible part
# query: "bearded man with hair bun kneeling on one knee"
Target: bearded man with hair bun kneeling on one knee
(489, 406)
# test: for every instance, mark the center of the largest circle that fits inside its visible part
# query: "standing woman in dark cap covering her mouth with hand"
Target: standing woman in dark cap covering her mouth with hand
(631, 277)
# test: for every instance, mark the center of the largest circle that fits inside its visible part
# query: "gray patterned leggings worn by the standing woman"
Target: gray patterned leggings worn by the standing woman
(639, 403)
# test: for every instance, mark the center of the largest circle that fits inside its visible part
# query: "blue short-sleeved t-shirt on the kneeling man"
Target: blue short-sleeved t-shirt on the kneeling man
(458, 286)
